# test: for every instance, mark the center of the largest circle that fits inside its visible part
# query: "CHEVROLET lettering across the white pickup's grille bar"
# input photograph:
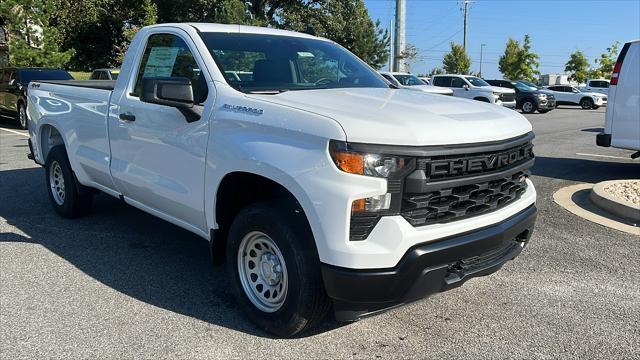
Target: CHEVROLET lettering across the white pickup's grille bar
(485, 163)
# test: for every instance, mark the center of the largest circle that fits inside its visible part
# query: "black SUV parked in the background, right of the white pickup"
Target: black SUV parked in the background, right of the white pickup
(528, 97)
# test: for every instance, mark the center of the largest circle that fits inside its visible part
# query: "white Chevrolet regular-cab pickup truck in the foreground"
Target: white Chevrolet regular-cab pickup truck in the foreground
(319, 185)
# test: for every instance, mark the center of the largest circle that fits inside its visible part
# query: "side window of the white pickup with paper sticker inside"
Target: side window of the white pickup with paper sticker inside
(167, 55)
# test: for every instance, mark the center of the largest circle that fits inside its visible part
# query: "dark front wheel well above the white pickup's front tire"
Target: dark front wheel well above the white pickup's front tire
(238, 190)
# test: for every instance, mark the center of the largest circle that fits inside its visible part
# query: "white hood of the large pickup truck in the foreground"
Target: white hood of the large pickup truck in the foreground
(401, 117)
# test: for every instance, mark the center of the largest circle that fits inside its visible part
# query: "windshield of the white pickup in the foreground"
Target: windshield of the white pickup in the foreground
(258, 62)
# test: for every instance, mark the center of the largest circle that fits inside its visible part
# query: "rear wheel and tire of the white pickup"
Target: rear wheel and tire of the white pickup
(68, 198)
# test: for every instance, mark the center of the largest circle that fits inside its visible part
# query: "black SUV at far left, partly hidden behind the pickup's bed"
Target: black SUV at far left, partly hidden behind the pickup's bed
(13, 89)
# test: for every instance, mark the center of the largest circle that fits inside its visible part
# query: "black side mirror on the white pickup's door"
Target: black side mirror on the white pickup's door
(171, 91)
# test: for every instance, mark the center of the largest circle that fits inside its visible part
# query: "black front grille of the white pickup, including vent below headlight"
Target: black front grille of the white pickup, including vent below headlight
(451, 183)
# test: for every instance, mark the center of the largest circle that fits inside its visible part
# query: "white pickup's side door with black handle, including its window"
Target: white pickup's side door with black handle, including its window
(157, 157)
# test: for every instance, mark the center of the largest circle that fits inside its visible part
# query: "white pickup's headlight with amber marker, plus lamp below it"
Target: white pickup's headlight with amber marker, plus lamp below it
(389, 167)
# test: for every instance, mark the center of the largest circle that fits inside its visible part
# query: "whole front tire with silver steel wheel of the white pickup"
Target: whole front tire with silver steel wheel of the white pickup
(288, 272)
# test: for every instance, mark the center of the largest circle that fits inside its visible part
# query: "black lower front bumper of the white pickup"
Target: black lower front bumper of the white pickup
(428, 268)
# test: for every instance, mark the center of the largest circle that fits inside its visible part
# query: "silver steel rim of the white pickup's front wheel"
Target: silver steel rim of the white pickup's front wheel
(262, 271)
